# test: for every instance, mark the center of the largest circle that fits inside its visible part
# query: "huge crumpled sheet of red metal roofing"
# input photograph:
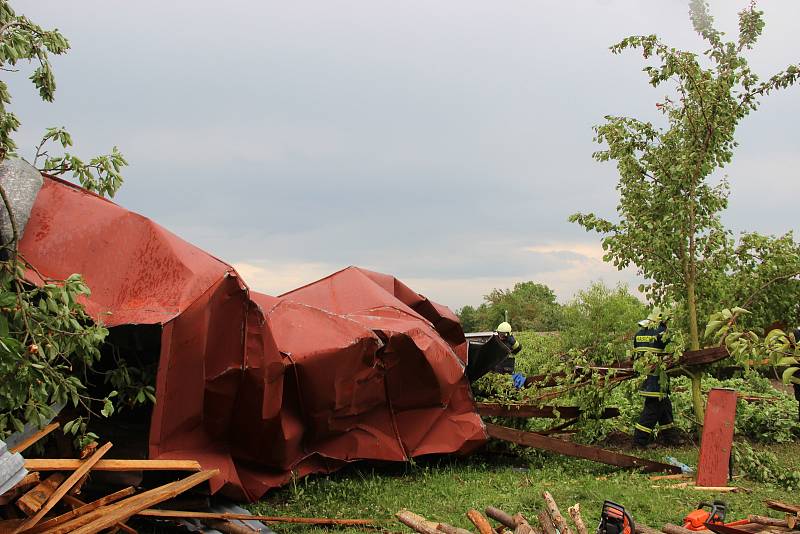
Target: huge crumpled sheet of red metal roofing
(354, 366)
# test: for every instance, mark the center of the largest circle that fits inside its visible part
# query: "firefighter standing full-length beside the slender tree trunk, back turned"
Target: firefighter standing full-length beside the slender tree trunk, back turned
(652, 338)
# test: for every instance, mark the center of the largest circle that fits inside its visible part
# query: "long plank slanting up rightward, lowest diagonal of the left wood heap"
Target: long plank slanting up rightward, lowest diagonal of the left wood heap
(108, 516)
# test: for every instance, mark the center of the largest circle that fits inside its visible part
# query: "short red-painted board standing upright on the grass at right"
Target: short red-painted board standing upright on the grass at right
(715, 446)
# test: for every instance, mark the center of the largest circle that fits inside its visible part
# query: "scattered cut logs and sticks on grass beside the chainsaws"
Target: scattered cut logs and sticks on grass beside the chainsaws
(550, 520)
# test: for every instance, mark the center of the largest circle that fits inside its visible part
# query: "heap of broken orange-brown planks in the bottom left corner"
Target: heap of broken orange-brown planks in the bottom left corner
(49, 497)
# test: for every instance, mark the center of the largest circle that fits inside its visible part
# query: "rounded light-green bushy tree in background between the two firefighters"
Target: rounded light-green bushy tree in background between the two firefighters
(601, 318)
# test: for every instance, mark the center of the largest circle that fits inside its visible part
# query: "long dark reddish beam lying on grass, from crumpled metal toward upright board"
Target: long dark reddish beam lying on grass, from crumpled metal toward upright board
(596, 454)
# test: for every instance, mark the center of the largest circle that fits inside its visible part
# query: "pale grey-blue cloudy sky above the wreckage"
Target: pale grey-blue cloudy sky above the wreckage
(445, 142)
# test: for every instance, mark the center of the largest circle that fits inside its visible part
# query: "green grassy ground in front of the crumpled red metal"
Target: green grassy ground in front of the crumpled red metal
(445, 488)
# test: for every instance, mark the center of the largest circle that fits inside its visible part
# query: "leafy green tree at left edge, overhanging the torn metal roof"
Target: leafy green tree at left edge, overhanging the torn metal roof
(47, 341)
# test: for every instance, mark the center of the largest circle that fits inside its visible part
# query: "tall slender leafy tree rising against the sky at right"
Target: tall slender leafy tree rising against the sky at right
(669, 225)
